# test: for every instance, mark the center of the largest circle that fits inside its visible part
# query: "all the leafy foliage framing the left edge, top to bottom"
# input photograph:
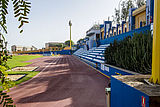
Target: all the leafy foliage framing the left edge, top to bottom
(21, 10)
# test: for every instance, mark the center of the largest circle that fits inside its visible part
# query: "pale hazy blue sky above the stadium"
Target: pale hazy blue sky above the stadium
(49, 20)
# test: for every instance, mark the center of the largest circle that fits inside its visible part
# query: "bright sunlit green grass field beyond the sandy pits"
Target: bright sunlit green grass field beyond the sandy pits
(18, 61)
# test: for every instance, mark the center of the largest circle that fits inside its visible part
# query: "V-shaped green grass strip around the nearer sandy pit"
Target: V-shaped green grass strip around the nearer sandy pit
(29, 75)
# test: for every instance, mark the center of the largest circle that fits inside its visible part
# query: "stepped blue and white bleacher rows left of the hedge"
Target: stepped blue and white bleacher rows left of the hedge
(94, 55)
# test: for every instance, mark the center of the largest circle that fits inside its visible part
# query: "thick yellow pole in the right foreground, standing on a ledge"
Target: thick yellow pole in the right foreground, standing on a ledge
(155, 78)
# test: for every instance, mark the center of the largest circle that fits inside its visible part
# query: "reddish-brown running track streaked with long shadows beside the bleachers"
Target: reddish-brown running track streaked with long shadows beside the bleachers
(64, 81)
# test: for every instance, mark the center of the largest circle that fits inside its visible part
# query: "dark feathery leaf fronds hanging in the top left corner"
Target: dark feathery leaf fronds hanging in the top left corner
(21, 10)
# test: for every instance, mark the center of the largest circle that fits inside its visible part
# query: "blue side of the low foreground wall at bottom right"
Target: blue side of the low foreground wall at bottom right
(123, 95)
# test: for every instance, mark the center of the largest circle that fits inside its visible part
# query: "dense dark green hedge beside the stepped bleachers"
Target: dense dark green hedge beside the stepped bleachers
(132, 53)
